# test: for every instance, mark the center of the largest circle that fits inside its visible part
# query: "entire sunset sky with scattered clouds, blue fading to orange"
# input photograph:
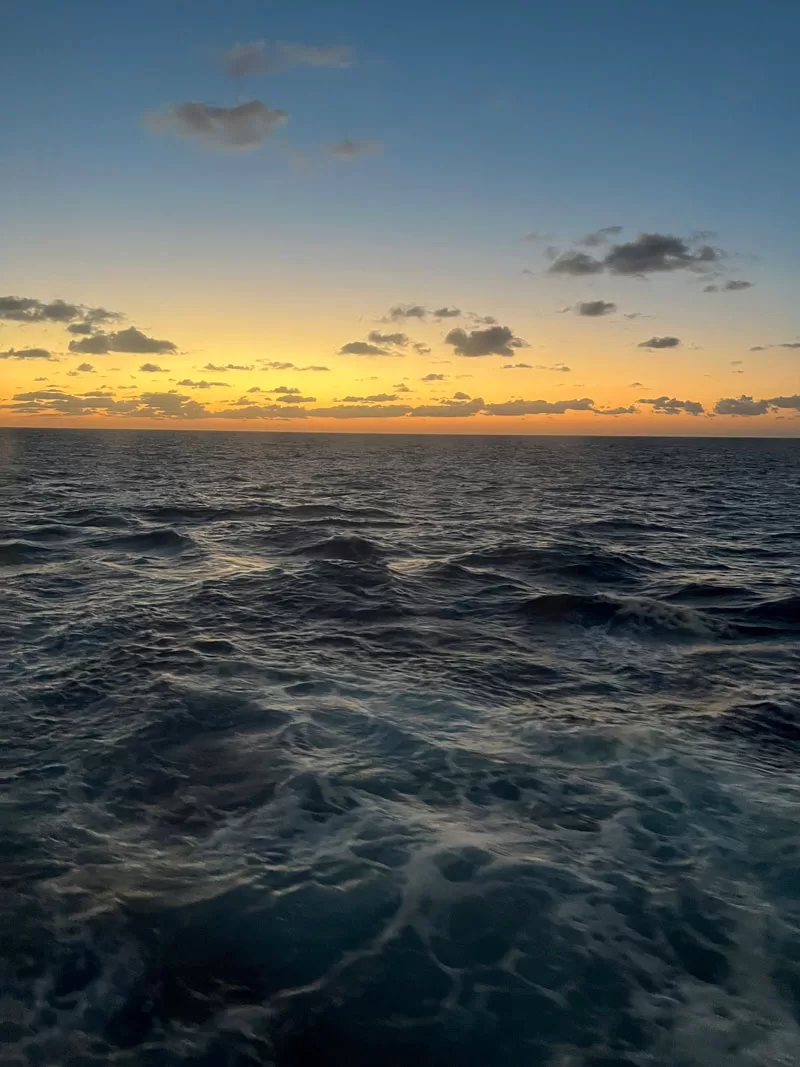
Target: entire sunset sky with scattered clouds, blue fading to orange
(360, 217)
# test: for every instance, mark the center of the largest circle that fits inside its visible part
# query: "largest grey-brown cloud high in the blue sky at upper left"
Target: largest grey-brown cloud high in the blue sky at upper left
(230, 130)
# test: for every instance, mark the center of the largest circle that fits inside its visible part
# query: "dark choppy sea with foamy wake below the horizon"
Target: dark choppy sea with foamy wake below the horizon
(391, 751)
